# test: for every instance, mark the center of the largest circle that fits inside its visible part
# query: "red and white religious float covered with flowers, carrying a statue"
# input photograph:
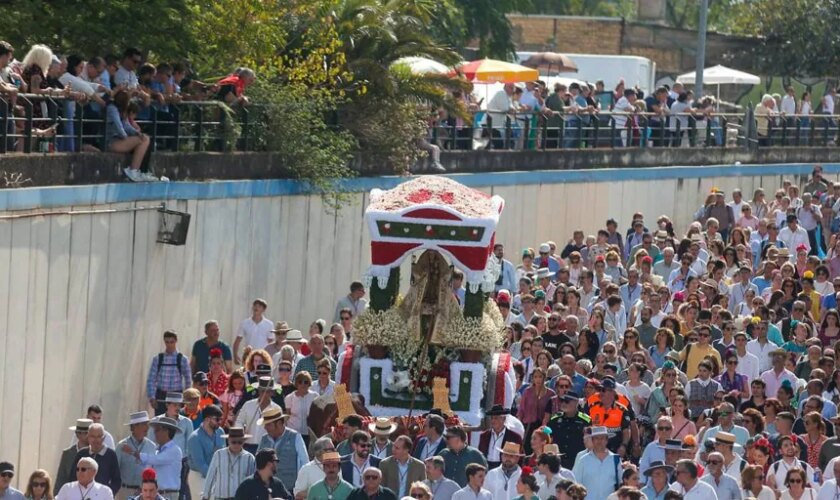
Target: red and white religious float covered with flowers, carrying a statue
(424, 350)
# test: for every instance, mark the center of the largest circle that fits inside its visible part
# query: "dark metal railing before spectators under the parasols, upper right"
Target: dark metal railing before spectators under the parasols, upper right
(536, 131)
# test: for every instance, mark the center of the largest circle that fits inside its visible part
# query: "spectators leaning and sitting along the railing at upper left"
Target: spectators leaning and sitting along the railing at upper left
(115, 93)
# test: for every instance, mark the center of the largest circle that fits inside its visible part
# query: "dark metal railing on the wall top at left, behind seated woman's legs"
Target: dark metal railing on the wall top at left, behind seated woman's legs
(185, 126)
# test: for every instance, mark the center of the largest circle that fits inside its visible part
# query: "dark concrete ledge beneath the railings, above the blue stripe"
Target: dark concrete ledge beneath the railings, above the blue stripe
(20, 170)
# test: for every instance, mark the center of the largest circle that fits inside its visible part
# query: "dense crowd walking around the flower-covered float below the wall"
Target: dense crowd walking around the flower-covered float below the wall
(650, 363)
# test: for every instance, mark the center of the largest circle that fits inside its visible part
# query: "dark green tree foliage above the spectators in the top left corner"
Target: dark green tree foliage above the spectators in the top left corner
(97, 27)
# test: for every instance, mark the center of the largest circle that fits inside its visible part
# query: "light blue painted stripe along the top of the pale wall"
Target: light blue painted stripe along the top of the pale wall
(98, 194)
